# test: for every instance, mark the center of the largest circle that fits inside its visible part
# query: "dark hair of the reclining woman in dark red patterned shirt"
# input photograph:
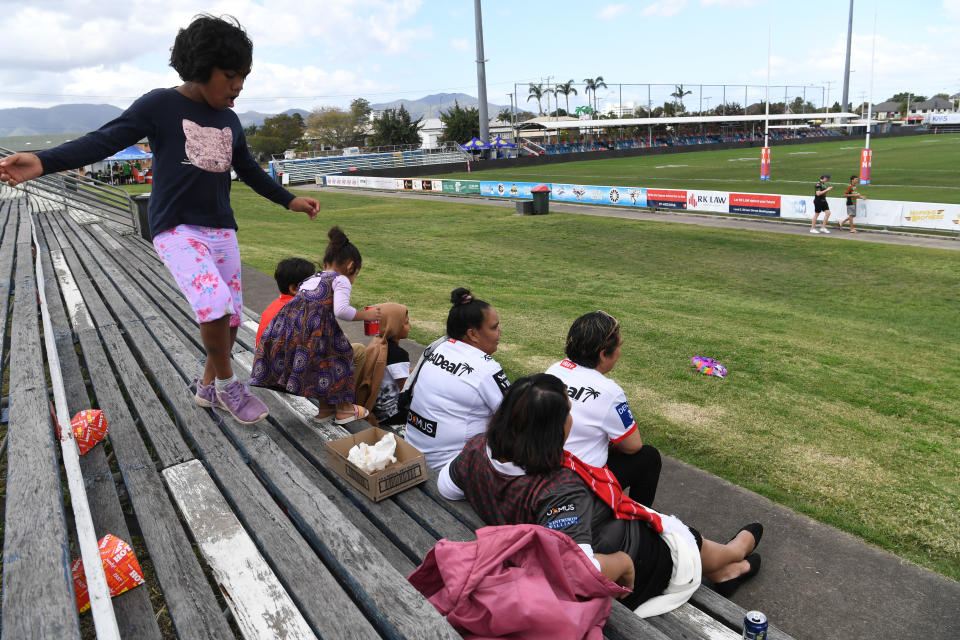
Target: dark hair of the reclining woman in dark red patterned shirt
(527, 428)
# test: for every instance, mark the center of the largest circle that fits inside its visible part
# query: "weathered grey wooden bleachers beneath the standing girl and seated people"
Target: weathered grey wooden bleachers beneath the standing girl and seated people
(246, 530)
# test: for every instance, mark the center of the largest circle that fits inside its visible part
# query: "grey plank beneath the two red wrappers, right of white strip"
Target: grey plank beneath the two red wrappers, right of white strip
(134, 613)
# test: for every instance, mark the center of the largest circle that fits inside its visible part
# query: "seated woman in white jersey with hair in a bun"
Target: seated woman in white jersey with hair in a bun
(459, 385)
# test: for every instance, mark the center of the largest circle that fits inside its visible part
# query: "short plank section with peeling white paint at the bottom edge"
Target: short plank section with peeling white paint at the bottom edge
(259, 603)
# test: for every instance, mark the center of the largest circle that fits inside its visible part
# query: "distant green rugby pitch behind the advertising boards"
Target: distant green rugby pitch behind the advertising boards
(921, 168)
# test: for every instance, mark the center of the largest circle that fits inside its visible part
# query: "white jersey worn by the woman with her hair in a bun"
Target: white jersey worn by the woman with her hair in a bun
(457, 390)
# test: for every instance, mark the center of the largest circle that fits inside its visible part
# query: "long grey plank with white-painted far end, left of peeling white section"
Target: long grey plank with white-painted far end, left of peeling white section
(193, 608)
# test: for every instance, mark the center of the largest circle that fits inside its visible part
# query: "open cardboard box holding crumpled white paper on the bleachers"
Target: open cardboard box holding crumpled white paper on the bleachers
(409, 470)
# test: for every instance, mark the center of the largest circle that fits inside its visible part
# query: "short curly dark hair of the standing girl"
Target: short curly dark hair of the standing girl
(210, 42)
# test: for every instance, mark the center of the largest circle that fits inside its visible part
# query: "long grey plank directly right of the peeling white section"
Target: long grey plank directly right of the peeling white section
(304, 575)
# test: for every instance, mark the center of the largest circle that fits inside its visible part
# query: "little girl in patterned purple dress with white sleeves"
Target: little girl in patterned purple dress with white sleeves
(303, 350)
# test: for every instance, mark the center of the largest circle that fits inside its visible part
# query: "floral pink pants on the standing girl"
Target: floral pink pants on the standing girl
(205, 262)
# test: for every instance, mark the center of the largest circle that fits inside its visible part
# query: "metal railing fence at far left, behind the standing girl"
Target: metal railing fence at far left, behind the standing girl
(92, 200)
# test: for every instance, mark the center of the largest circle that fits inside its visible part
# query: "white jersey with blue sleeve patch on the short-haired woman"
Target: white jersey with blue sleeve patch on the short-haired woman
(599, 408)
